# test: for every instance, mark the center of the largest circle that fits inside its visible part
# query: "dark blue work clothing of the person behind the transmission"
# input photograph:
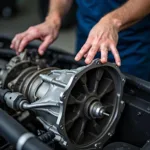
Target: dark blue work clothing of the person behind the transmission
(133, 44)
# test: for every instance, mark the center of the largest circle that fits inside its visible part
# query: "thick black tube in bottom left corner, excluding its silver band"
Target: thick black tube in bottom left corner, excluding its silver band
(11, 130)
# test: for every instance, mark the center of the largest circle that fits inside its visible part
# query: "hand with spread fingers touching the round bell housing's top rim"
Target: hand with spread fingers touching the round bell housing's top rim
(102, 38)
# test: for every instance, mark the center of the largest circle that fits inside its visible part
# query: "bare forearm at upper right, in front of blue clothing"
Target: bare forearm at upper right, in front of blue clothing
(129, 13)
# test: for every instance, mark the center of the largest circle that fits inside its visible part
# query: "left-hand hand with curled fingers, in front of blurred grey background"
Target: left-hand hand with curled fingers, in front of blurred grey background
(46, 32)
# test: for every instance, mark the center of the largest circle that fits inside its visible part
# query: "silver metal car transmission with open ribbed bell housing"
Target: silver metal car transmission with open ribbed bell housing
(80, 106)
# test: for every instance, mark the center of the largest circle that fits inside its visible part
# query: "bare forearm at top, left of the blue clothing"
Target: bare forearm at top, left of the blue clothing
(58, 8)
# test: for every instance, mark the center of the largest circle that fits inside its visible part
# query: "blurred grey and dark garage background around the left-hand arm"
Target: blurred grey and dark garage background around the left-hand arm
(17, 15)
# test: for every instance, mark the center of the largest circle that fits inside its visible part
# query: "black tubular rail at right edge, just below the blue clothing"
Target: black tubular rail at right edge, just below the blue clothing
(139, 83)
